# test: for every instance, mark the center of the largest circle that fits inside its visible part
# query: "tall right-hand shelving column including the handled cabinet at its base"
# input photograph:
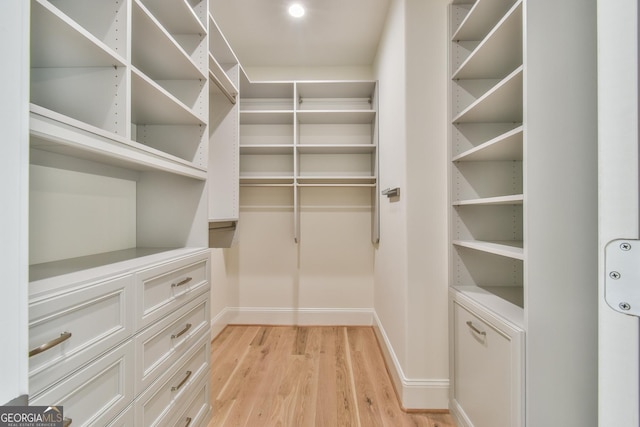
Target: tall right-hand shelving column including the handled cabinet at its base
(487, 255)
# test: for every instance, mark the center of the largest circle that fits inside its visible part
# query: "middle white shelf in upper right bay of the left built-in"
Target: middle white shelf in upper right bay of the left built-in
(166, 60)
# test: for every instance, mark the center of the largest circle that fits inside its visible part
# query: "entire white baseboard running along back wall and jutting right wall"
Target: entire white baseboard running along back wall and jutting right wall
(413, 393)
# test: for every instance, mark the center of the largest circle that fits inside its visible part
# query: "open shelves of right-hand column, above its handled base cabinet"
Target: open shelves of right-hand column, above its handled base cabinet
(487, 144)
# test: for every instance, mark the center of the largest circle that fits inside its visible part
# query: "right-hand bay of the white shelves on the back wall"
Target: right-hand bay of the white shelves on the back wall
(336, 140)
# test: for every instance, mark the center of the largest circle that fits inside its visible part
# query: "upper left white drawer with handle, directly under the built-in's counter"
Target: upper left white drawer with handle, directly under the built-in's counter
(97, 317)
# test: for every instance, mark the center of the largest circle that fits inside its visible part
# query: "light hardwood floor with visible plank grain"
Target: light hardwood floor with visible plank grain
(294, 376)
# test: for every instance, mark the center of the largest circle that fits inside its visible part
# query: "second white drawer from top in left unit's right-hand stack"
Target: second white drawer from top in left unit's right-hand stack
(159, 346)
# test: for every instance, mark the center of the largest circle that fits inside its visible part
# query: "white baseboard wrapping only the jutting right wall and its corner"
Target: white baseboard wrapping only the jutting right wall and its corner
(413, 393)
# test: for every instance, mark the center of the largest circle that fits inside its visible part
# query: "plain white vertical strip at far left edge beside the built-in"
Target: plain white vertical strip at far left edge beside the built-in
(14, 159)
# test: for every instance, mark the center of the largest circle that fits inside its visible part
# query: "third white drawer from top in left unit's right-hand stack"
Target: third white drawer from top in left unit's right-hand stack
(160, 402)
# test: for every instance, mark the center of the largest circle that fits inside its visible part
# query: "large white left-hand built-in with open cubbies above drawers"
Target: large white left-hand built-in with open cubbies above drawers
(119, 113)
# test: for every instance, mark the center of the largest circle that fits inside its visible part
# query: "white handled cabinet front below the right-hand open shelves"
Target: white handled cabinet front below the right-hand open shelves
(483, 370)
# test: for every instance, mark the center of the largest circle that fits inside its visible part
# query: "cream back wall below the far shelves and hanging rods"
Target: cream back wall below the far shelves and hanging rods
(325, 278)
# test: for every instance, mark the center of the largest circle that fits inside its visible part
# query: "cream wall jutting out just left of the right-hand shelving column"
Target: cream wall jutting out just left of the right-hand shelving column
(411, 262)
